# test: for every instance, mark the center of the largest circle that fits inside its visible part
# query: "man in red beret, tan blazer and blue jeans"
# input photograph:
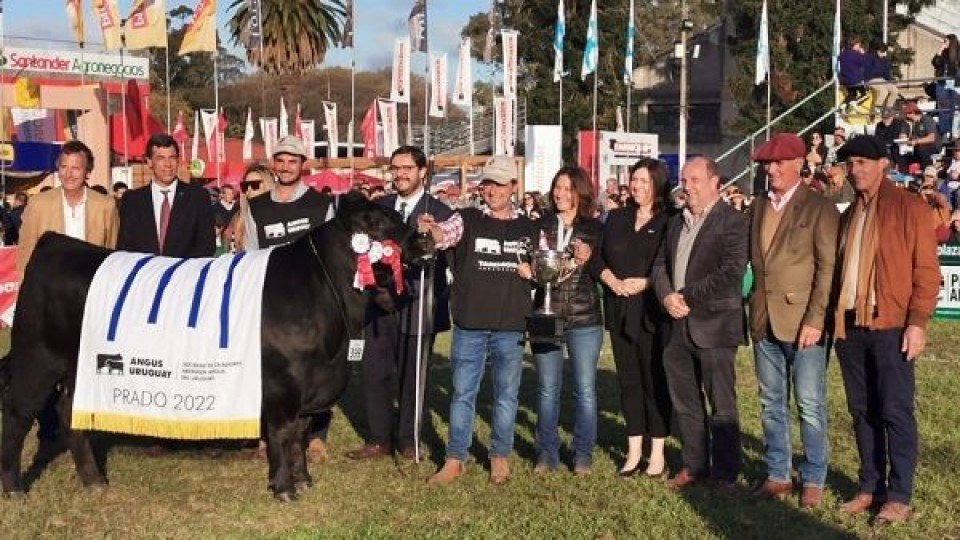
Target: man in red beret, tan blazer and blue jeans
(793, 240)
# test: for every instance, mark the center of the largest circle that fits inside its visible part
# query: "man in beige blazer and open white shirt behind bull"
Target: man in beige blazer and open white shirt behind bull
(76, 211)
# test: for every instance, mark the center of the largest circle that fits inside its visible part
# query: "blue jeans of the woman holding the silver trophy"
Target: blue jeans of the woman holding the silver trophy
(583, 344)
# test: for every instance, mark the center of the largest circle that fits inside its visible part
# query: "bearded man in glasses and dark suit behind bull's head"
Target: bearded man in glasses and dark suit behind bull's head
(391, 338)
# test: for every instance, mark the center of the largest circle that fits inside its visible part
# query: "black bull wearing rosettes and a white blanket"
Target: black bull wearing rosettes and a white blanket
(310, 310)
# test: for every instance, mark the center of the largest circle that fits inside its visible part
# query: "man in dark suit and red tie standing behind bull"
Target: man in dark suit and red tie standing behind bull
(168, 216)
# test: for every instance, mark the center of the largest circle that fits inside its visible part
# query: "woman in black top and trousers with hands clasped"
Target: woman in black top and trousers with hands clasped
(631, 237)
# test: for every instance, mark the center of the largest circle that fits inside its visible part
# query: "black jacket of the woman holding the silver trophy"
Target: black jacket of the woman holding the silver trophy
(575, 299)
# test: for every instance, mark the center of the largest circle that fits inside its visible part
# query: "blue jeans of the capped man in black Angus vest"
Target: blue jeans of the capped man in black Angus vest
(468, 355)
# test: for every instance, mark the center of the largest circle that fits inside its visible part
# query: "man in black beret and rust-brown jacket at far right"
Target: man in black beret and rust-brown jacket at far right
(889, 278)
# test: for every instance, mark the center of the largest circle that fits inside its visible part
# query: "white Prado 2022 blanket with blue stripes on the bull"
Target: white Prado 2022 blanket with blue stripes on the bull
(171, 347)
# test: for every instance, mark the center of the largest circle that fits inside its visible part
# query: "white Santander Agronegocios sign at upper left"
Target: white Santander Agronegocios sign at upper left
(74, 63)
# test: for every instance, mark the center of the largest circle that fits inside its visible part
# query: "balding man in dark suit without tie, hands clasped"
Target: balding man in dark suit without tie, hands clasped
(698, 278)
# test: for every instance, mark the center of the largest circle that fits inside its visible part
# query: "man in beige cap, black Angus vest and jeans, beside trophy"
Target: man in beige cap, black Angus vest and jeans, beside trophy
(489, 304)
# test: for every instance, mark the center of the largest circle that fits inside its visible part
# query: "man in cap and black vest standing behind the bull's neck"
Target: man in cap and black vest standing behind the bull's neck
(283, 214)
